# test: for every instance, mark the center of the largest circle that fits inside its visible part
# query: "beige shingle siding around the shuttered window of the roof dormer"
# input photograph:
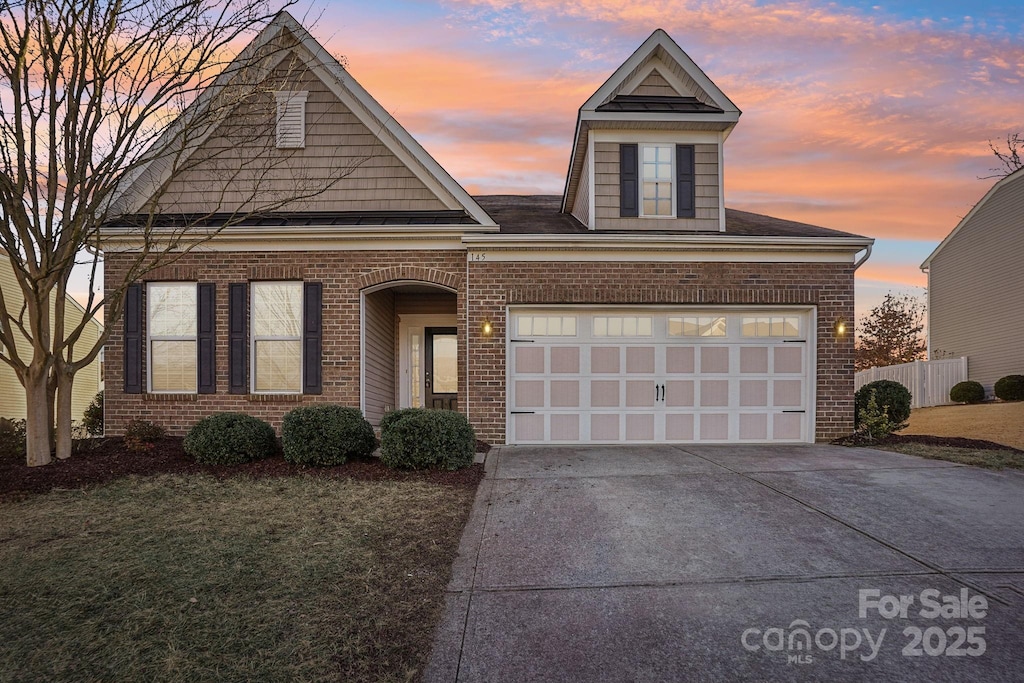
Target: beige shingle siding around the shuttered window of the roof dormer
(607, 194)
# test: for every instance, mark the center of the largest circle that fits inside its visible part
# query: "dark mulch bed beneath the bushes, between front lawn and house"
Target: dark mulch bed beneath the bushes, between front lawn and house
(109, 460)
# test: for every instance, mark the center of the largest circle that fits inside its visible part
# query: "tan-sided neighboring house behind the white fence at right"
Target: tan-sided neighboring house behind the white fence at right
(976, 287)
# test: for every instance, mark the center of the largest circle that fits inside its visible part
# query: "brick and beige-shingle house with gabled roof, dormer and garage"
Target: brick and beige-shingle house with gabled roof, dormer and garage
(634, 309)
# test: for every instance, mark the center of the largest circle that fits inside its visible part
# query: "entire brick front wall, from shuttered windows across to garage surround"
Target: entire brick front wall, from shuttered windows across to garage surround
(492, 287)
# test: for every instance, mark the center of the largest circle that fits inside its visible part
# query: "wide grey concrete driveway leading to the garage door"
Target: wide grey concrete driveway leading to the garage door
(726, 564)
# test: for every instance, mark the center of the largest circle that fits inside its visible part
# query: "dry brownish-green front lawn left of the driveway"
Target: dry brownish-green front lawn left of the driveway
(194, 578)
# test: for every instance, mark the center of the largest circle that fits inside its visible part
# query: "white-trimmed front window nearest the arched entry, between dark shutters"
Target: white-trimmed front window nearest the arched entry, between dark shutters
(276, 314)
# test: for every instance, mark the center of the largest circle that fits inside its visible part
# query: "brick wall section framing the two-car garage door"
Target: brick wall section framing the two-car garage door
(495, 285)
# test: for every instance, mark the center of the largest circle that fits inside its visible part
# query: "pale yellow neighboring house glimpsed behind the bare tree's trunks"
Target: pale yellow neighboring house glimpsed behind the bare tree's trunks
(88, 381)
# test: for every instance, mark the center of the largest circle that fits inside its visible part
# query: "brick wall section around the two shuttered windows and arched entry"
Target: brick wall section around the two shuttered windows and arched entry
(344, 276)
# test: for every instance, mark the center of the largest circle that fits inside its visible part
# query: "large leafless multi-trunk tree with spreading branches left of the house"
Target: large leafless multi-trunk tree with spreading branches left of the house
(103, 104)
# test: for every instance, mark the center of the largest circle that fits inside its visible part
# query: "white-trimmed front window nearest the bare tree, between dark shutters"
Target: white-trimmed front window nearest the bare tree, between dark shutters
(172, 328)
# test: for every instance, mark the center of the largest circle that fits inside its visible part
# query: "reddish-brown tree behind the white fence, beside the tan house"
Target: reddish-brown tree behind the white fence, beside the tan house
(891, 333)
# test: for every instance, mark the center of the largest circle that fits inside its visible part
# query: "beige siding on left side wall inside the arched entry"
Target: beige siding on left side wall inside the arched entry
(380, 355)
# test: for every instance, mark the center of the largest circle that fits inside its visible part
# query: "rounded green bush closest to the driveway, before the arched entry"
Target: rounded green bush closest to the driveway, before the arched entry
(424, 439)
